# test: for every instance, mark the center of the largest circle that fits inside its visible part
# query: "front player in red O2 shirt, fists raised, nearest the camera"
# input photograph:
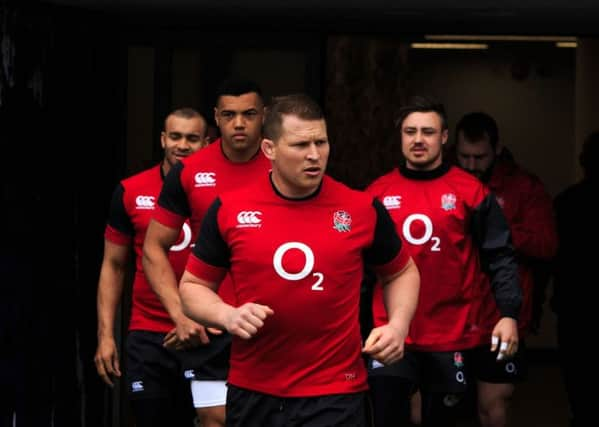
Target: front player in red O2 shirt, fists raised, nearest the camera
(295, 243)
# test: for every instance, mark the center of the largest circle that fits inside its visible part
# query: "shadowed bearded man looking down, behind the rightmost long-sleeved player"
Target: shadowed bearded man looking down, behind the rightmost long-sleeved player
(528, 210)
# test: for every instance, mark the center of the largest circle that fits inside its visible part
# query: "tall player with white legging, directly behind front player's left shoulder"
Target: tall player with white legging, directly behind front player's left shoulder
(232, 161)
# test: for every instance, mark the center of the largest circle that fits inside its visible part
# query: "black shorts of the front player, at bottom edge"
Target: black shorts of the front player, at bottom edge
(246, 408)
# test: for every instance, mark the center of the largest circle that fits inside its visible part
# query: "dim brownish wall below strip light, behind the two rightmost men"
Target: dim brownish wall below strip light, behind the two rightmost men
(535, 112)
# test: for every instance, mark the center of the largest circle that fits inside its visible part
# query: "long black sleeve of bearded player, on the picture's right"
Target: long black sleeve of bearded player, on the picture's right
(492, 235)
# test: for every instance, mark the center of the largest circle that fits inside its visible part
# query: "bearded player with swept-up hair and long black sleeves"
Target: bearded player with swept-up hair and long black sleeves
(454, 229)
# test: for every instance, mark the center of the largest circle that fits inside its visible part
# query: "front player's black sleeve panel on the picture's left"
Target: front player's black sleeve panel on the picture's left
(210, 246)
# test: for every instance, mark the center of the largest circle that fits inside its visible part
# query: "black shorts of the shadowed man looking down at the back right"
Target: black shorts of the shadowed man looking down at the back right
(487, 368)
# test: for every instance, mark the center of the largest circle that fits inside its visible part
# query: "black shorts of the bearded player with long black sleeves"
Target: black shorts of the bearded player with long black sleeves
(446, 372)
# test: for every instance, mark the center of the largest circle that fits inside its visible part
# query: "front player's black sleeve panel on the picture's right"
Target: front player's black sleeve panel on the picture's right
(386, 243)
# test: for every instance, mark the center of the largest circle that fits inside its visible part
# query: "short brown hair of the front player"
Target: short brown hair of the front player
(297, 104)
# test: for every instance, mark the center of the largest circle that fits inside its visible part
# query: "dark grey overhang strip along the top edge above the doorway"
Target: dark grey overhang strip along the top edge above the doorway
(559, 17)
